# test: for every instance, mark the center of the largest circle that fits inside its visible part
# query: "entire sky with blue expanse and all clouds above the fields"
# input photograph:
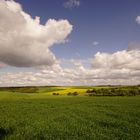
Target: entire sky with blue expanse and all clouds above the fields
(69, 42)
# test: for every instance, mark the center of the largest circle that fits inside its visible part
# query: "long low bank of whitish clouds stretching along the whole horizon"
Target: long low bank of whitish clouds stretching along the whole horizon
(119, 68)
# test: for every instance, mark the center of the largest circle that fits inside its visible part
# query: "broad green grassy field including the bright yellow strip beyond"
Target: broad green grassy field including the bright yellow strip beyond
(42, 116)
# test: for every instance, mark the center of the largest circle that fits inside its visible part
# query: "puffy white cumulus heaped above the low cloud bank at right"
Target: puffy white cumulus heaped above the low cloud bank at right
(118, 60)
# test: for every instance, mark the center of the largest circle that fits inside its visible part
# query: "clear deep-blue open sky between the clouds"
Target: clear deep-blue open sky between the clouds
(110, 22)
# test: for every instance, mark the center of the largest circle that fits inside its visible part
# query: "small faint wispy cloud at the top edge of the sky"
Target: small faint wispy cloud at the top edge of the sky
(72, 3)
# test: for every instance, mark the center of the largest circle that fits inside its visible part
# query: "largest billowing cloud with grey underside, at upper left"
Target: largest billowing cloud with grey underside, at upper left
(24, 41)
